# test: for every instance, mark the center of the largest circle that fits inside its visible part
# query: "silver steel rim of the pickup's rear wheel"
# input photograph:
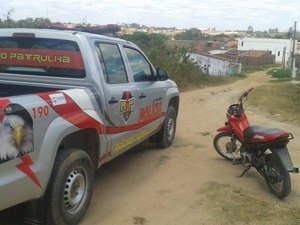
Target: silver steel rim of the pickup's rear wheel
(76, 189)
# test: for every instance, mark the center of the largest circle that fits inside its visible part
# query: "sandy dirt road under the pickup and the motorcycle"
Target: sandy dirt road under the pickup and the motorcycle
(161, 187)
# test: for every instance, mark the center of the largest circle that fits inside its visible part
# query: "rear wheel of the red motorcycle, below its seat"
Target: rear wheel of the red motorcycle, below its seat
(279, 181)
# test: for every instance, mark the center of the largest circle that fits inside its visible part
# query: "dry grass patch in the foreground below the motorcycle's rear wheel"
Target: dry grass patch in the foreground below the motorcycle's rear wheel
(231, 205)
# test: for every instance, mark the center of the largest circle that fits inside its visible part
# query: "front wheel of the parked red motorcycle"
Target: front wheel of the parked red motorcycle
(227, 146)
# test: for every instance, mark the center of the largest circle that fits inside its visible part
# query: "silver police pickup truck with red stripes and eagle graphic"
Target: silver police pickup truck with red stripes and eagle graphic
(71, 101)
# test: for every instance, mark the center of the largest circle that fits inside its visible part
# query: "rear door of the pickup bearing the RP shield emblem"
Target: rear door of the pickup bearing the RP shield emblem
(120, 96)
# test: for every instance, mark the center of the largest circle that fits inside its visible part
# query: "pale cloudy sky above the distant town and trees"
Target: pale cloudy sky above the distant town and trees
(202, 14)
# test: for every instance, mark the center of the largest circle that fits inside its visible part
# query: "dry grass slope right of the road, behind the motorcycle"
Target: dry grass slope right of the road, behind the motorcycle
(278, 98)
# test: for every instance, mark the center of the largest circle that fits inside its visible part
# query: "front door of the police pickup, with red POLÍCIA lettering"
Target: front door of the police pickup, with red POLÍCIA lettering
(151, 93)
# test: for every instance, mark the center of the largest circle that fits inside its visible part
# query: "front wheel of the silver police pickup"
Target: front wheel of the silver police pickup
(166, 134)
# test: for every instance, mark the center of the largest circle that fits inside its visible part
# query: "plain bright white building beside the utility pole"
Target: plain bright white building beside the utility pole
(281, 48)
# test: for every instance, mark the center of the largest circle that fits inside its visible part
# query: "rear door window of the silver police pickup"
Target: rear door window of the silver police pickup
(112, 63)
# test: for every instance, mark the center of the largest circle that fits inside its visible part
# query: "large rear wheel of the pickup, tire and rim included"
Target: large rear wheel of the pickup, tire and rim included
(70, 188)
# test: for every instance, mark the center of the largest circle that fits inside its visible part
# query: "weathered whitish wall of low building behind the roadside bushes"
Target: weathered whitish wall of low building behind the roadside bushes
(215, 65)
